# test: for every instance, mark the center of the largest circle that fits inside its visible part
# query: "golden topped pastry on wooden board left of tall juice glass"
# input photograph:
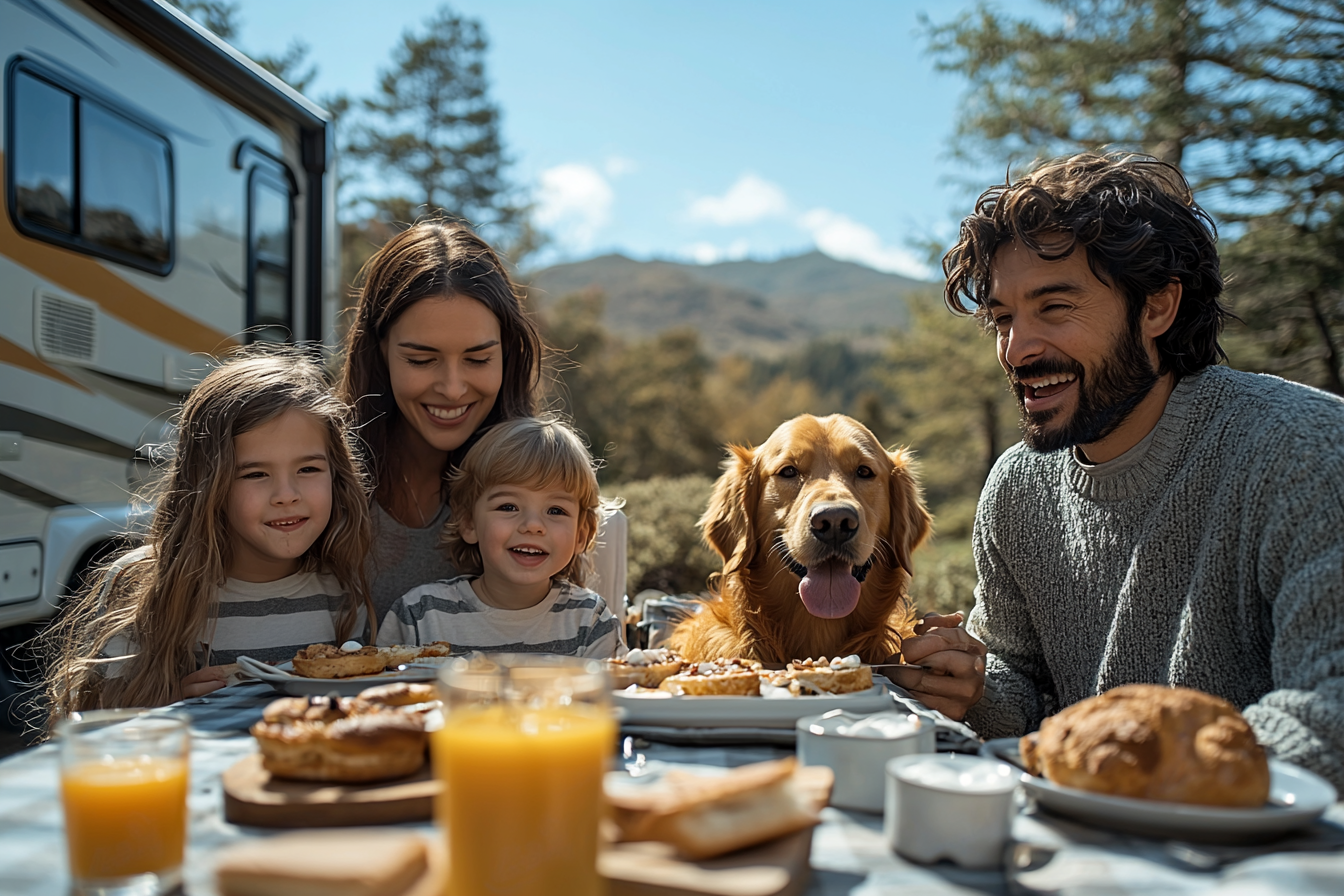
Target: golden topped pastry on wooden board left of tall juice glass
(339, 741)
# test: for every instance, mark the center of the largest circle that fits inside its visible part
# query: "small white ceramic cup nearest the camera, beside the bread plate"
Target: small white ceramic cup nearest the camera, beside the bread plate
(950, 807)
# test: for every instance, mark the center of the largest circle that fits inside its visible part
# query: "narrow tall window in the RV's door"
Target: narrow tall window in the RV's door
(271, 251)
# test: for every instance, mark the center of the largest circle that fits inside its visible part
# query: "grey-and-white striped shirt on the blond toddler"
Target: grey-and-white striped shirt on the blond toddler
(569, 621)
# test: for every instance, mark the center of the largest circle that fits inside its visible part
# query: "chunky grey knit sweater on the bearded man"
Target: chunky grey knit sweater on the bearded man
(1210, 557)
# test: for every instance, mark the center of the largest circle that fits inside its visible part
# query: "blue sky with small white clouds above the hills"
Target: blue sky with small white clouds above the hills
(694, 131)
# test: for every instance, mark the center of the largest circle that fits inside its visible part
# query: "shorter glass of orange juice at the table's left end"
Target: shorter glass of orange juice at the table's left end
(124, 791)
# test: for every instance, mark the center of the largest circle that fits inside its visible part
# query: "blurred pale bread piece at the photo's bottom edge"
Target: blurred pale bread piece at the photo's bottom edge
(355, 862)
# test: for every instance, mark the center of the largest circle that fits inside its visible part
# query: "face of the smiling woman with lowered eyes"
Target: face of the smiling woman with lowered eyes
(446, 363)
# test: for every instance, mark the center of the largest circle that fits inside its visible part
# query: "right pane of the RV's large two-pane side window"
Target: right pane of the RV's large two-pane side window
(124, 186)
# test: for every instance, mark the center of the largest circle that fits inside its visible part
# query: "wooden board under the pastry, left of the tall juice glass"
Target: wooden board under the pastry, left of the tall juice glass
(253, 797)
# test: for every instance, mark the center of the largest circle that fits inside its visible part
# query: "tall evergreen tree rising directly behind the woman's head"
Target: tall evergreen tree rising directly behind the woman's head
(433, 124)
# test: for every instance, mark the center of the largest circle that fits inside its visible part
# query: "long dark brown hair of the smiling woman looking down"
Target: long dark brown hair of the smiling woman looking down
(433, 260)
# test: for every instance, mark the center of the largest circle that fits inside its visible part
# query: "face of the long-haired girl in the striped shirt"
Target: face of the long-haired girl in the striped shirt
(282, 496)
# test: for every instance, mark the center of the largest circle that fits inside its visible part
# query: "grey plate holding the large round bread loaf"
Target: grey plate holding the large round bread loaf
(1296, 799)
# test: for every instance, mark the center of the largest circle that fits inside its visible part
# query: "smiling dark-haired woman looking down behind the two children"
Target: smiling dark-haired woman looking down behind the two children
(440, 349)
